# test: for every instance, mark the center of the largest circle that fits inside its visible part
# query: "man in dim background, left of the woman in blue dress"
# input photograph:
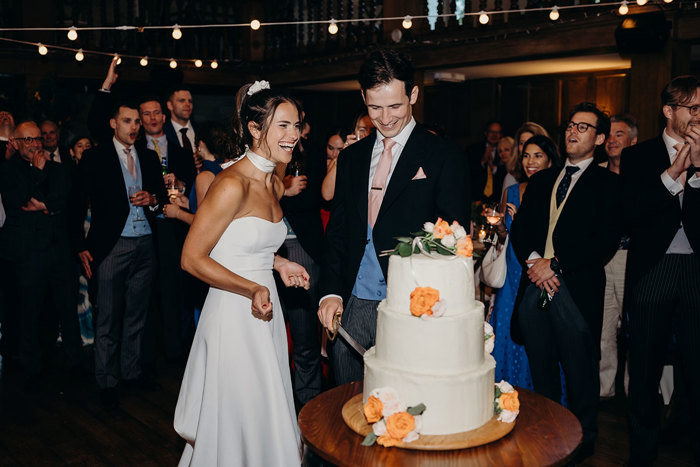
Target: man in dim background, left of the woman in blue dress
(486, 169)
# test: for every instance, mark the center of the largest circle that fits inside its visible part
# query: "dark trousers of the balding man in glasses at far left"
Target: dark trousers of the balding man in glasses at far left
(38, 272)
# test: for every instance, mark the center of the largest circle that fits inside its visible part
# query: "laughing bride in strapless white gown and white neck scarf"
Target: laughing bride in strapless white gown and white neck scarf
(235, 405)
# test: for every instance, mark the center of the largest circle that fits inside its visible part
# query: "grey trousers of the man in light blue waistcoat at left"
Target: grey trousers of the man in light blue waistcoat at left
(125, 278)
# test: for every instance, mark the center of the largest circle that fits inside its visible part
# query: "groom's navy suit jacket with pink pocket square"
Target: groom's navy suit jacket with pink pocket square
(407, 204)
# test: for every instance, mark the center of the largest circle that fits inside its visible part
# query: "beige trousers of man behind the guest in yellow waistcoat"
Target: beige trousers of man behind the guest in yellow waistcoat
(612, 313)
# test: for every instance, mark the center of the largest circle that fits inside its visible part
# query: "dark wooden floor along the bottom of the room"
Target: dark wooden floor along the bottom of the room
(64, 424)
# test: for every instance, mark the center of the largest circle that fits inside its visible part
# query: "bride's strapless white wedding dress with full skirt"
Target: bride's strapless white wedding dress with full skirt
(235, 406)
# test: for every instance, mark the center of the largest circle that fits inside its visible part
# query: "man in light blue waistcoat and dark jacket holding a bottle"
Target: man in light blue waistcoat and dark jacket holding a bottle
(125, 190)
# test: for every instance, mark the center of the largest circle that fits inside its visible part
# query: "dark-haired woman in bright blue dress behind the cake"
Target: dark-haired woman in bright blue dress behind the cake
(539, 153)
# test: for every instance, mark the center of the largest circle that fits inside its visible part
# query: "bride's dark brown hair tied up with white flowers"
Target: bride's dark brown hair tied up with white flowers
(258, 108)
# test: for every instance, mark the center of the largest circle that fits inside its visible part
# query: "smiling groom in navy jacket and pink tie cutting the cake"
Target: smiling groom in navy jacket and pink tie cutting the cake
(388, 185)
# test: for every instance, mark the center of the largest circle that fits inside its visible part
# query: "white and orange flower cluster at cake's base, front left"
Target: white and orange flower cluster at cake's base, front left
(392, 422)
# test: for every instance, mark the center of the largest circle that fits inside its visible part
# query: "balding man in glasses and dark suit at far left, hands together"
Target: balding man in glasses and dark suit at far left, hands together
(34, 240)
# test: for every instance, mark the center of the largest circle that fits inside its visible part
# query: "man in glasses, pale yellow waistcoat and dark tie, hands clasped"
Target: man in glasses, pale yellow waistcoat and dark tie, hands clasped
(566, 230)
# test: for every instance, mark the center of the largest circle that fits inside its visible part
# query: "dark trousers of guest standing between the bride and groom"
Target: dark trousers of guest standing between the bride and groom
(300, 308)
